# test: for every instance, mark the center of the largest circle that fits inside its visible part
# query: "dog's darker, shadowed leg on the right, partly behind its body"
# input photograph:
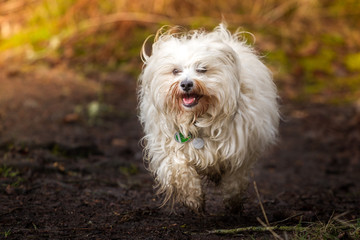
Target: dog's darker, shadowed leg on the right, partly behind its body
(234, 185)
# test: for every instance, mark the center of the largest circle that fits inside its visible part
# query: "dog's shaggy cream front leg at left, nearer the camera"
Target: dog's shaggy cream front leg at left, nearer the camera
(180, 182)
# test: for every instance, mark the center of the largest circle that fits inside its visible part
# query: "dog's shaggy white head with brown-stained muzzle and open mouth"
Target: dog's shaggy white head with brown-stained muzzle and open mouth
(192, 73)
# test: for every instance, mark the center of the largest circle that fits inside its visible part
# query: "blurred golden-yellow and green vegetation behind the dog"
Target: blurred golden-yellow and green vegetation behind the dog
(312, 46)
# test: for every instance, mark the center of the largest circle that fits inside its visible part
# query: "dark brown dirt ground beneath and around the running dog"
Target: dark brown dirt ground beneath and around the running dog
(72, 165)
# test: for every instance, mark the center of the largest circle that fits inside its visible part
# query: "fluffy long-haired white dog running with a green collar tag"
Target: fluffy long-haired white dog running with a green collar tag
(209, 108)
